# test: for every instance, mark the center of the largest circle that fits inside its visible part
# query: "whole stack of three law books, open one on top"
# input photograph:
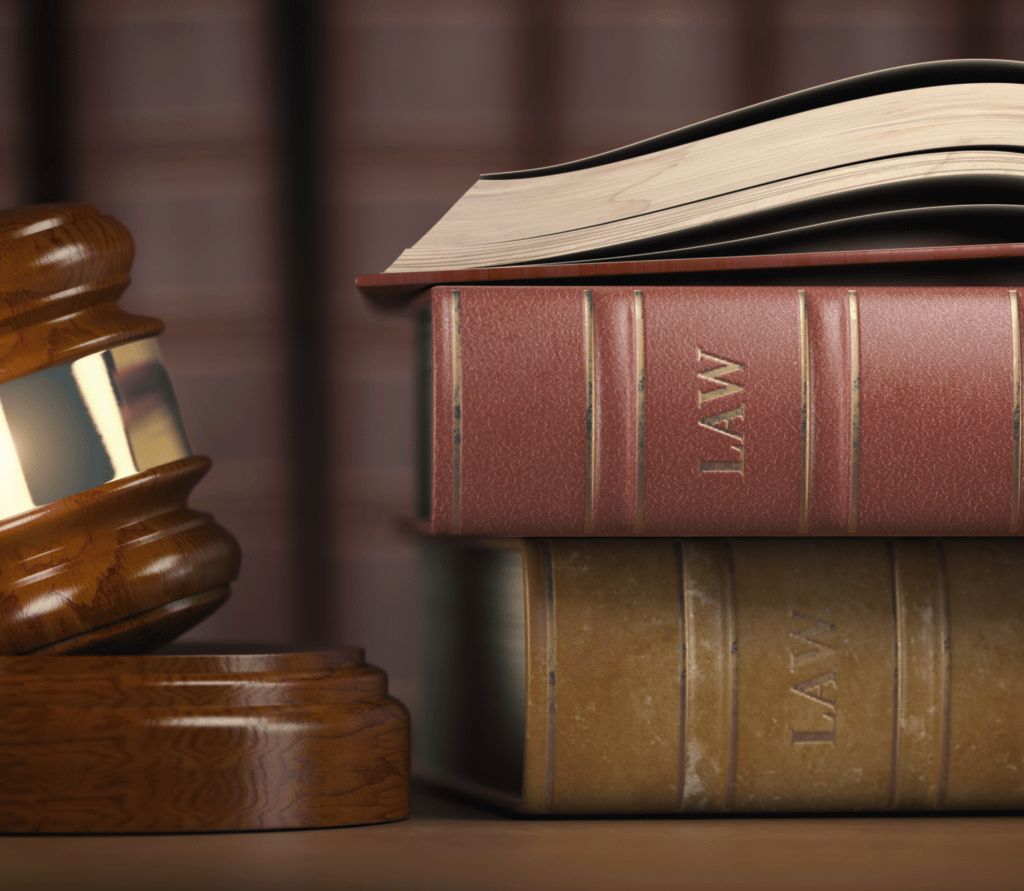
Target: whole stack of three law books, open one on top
(721, 461)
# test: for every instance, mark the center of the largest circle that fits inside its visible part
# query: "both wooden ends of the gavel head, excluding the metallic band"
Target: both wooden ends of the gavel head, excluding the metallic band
(127, 566)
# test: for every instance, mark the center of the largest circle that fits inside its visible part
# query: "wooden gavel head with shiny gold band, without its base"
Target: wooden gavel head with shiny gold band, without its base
(99, 550)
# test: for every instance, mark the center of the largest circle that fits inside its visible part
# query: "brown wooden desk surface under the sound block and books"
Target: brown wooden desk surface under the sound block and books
(451, 845)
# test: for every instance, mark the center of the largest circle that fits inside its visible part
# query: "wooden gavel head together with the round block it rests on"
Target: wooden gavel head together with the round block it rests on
(102, 561)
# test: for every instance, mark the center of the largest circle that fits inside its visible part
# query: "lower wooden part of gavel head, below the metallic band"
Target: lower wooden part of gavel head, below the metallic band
(134, 566)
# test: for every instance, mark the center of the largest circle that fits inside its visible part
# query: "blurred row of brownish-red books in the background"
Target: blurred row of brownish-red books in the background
(266, 153)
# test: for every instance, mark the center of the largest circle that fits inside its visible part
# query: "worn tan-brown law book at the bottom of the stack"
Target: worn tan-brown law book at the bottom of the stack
(618, 676)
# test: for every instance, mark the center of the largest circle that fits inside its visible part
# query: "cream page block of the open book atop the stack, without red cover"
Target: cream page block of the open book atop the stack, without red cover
(921, 156)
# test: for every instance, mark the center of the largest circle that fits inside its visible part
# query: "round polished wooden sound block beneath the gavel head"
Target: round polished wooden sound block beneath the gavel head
(174, 744)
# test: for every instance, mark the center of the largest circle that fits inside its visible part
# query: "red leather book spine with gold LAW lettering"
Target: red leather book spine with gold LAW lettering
(703, 411)
